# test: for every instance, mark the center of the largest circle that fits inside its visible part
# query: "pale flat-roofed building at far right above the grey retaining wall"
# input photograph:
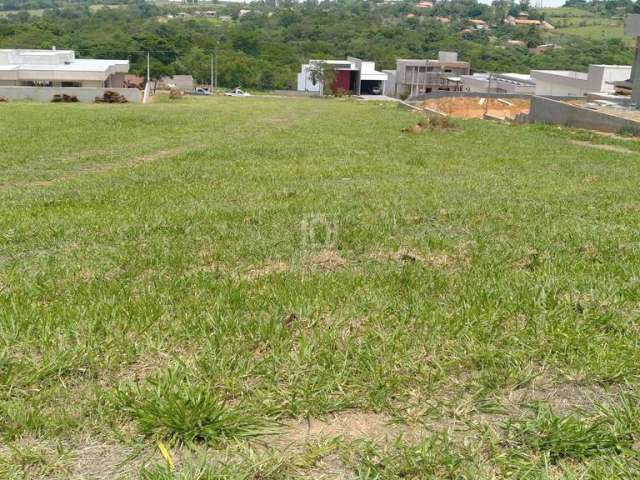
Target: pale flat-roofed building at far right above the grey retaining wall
(565, 83)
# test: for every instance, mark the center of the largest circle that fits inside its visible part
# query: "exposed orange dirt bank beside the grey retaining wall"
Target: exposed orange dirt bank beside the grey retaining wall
(474, 107)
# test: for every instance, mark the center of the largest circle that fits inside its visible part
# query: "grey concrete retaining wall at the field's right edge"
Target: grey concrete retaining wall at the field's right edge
(546, 110)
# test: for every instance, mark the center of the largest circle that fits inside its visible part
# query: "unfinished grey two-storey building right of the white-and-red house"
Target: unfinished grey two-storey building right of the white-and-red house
(414, 77)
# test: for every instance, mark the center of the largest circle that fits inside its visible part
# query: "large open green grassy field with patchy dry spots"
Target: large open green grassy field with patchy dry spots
(286, 288)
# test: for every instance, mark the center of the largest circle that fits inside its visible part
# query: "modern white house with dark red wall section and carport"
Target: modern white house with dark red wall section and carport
(351, 75)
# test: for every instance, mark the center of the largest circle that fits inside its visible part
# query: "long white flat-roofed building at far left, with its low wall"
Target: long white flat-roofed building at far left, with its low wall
(40, 74)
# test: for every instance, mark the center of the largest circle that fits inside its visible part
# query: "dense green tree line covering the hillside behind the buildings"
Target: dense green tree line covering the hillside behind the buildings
(264, 48)
